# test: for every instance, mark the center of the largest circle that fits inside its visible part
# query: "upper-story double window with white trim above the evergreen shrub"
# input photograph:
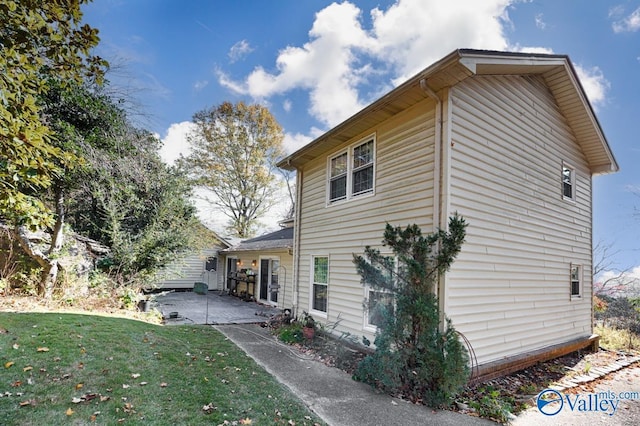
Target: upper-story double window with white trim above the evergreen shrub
(351, 173)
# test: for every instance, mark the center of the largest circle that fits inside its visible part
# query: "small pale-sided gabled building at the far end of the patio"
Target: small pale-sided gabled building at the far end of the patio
(200, 265)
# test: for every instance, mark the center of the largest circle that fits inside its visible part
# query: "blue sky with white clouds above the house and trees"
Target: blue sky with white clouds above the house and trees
(314, 63)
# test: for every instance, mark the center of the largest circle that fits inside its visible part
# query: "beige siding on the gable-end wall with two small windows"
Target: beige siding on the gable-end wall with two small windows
(509, 290)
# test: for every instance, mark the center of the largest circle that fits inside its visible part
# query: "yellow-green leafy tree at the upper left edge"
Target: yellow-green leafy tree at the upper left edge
(38, 39)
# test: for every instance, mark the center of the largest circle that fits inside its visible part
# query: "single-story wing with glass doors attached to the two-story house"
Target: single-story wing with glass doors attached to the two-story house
(261, 268)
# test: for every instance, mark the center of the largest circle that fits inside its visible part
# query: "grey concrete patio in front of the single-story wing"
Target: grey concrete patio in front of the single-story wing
(212, 308)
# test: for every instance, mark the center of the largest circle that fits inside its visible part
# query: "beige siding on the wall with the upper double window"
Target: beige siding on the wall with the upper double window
(403, 194)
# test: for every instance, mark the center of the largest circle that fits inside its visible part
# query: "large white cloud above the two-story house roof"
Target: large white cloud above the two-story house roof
(404, 39)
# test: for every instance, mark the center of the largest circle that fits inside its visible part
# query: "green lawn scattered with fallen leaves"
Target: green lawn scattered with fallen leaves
(81, 369)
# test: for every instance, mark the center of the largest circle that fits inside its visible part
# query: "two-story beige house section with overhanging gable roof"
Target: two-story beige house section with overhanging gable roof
(507, 140)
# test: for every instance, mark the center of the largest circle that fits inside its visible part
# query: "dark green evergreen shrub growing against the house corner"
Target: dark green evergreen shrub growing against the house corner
(418, 354)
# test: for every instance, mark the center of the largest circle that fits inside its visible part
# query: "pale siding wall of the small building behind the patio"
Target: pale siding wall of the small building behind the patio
(183, 273)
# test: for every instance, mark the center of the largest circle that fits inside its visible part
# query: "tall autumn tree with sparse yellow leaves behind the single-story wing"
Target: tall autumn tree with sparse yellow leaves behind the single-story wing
(234, 149)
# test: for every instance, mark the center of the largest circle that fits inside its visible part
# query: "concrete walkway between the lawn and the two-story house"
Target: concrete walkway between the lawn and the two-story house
(330, 392)
